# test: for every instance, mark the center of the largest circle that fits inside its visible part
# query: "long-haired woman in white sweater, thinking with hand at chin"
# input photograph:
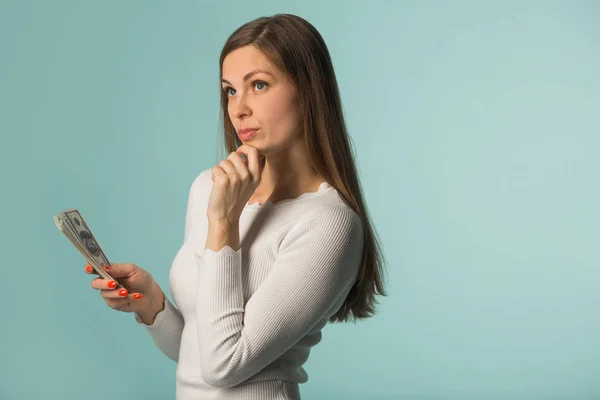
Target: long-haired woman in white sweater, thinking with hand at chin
(277, 238)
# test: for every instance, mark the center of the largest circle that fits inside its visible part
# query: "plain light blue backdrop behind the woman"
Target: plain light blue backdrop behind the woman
(476, 126)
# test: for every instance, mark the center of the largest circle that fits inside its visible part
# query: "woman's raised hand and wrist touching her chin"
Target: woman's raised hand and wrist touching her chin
(234, 182)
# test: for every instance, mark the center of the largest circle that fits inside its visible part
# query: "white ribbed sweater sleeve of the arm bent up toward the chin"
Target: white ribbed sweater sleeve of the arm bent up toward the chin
(318, 261)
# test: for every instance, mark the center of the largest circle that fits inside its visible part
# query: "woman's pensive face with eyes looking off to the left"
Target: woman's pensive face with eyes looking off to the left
(259, 96)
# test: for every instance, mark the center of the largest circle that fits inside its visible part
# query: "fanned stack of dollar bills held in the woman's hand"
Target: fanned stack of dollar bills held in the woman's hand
(72, 225)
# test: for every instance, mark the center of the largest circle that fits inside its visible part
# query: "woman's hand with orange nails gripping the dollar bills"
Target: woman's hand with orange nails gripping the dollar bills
(141, 294)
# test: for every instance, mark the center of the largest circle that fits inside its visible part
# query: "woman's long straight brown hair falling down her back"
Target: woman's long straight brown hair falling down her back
(297, 49)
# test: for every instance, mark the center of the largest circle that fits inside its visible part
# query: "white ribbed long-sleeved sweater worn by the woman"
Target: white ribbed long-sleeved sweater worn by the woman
(243, 322)
